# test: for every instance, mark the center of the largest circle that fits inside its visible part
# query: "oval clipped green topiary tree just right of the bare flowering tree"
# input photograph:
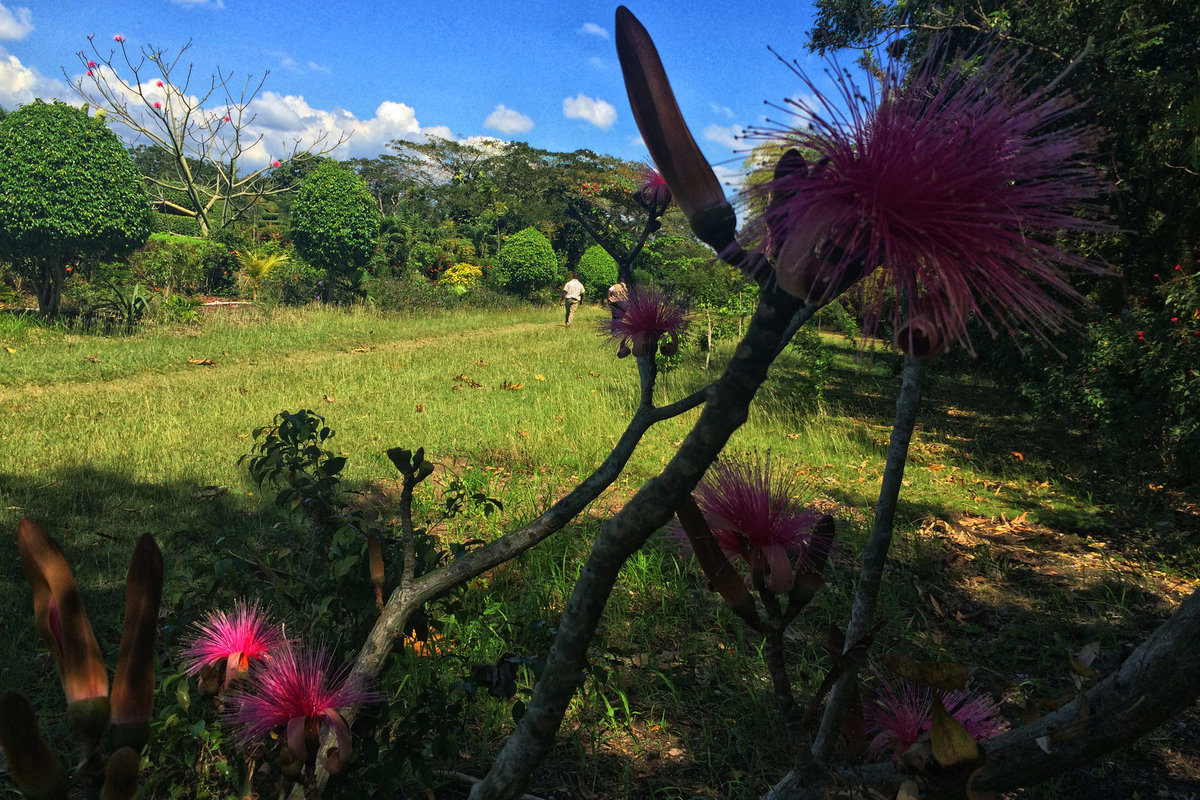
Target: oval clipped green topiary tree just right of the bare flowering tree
(335, 225)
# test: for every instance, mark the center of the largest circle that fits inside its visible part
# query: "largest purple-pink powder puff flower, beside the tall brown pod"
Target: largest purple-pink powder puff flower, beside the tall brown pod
(956, 179)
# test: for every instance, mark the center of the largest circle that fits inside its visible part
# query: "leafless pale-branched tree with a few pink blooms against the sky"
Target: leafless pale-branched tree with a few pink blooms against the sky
(206, 134)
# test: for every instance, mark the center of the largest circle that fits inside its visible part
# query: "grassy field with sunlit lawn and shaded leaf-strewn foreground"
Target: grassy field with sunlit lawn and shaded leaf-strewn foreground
(1011, 554)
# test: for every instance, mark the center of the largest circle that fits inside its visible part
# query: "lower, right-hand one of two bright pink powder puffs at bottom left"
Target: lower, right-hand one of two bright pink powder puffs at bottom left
(298, 691)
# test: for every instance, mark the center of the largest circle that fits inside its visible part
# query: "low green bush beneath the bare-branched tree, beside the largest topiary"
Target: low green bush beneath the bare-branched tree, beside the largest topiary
(184, 264)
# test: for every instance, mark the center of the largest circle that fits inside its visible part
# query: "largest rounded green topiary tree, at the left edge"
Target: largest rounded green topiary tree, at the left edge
(68, 191)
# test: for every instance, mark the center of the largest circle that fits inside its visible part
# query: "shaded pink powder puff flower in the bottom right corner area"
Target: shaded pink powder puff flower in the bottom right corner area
(902, 713)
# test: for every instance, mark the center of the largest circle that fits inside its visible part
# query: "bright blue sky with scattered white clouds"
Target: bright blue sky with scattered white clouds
(538, 71)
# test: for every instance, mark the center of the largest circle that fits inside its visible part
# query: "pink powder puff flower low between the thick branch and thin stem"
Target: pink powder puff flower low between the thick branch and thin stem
(759, 516)
